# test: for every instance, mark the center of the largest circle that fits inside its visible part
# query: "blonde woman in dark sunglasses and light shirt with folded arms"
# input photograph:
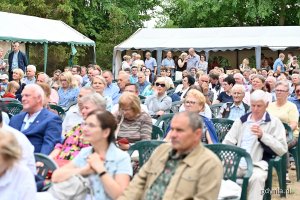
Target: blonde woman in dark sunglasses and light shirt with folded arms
(159, 103)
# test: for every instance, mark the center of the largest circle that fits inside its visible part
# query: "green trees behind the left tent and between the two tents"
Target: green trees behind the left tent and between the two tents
(107, 22)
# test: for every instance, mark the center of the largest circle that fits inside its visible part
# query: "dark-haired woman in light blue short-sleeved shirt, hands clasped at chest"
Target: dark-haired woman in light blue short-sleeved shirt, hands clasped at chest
(107, 167)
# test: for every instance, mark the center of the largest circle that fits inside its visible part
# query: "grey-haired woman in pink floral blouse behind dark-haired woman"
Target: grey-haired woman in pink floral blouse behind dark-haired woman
(74, 141)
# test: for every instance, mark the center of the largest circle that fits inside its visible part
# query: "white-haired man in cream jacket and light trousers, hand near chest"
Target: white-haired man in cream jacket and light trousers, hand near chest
(262, 136)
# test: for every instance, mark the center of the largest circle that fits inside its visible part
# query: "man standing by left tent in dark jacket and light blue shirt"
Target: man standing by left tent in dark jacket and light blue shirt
(16, 59)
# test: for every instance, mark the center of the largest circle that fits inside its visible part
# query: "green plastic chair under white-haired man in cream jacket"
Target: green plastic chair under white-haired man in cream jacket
(279, 164)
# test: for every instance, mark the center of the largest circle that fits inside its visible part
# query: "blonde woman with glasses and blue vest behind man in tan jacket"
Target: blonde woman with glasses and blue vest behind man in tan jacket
(195, 102)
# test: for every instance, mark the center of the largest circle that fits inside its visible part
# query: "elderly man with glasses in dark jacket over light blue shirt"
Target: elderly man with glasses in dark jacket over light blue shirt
(234, 110)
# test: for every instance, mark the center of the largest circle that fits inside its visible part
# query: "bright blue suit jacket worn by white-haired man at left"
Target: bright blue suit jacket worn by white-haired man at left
(43, 133)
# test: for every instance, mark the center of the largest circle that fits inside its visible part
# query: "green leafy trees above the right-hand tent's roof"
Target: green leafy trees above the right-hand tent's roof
(219, 13)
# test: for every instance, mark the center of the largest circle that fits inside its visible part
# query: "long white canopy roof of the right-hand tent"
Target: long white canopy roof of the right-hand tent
(210, 39)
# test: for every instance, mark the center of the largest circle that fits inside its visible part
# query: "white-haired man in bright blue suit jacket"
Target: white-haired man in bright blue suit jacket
(42, 127)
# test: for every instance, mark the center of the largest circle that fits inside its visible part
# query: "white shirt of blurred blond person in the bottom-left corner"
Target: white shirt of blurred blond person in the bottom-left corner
(18, 184)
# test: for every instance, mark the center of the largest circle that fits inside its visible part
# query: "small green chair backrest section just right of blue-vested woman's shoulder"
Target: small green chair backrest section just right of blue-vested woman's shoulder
(222, 126)
